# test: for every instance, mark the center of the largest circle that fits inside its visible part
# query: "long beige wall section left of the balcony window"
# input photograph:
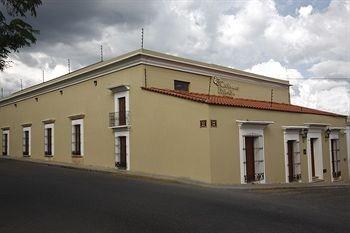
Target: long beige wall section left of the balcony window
(95, 102)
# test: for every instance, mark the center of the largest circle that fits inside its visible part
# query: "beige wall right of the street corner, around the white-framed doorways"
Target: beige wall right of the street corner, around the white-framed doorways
(225, 142)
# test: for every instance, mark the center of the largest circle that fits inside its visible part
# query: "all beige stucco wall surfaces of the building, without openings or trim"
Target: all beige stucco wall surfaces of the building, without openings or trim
(165, 137)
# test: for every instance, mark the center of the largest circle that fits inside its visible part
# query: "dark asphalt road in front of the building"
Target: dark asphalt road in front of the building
(40, 198)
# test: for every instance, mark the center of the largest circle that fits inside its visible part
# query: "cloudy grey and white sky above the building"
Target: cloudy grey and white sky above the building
(304, 41)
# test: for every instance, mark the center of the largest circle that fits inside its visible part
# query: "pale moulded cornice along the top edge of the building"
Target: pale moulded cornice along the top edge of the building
(134, 58)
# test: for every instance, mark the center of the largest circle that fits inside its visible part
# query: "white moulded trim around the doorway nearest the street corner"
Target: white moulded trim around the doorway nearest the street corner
(252, 129)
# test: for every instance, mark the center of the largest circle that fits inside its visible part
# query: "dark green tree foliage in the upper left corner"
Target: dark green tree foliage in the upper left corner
(15, 33)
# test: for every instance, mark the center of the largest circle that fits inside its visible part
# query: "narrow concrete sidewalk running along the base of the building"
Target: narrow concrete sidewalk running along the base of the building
(159, 178)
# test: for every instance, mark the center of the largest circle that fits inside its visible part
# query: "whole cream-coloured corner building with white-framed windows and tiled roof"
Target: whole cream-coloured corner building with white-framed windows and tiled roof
(154, 113)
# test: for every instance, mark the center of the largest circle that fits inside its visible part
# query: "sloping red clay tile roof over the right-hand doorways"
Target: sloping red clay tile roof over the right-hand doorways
(238, 102)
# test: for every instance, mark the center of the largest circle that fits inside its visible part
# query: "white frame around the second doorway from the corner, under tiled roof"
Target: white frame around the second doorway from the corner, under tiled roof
(290, 135)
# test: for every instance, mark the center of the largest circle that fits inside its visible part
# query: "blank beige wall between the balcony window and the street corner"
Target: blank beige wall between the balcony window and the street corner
(166, 138)
